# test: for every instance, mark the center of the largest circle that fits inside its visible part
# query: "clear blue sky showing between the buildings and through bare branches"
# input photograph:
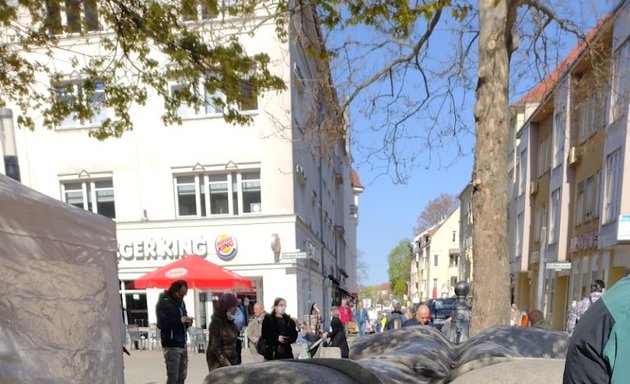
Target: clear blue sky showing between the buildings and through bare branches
(388, 211)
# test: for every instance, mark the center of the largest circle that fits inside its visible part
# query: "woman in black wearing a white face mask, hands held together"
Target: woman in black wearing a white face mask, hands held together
(279, 332)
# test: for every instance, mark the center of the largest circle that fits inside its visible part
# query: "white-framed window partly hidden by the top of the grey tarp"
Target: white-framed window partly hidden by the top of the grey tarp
(95, 195)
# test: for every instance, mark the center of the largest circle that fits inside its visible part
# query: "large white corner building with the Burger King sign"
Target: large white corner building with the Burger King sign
(244, 197)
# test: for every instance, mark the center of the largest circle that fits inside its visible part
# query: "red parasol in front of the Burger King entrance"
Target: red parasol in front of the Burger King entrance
(197, 272)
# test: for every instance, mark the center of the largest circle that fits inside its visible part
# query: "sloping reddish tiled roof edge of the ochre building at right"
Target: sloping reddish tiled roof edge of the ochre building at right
(538, 93)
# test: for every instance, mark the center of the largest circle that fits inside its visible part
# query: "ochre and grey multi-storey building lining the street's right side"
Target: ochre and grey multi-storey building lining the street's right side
(566, 197)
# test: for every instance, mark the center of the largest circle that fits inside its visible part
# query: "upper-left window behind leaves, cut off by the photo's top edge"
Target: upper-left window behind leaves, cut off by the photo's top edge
(74, 16)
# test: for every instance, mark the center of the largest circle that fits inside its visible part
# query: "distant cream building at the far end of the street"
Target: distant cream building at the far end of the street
(435, 266)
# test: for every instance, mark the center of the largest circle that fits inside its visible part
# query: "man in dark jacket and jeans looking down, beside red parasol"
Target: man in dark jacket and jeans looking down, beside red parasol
(173, 320)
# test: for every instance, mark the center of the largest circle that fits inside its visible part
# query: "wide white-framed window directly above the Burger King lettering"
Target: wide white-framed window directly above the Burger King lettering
(209, 194)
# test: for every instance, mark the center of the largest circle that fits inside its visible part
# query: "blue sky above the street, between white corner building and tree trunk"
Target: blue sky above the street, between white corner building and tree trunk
(388, 211)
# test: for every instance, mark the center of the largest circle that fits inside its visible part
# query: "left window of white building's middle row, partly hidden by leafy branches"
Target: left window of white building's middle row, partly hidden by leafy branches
(69, 92)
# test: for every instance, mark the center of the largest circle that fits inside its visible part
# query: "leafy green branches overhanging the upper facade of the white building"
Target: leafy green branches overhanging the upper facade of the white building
(130, 48)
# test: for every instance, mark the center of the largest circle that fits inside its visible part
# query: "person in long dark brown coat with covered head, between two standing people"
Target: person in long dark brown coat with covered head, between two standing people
(223, 347)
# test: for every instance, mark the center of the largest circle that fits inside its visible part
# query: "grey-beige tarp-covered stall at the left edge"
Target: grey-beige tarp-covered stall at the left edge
(60, 313)
